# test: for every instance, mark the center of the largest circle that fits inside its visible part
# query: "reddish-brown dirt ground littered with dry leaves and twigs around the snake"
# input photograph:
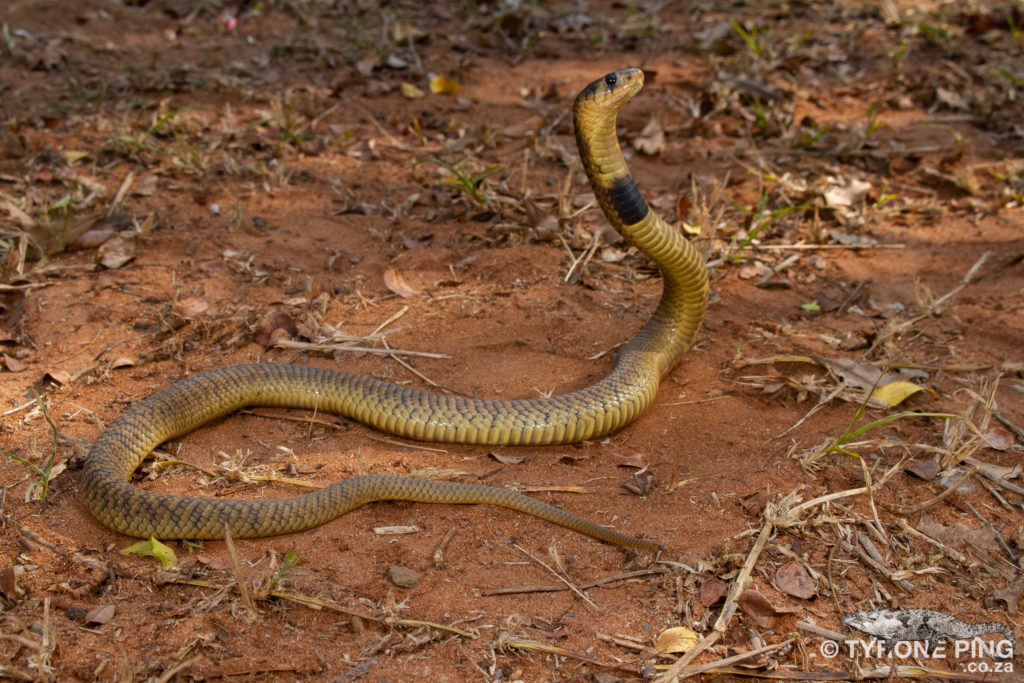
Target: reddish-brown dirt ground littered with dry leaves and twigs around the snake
(186, 186)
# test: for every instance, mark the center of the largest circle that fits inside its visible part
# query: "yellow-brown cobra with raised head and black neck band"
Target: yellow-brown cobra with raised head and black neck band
(592, 412)
